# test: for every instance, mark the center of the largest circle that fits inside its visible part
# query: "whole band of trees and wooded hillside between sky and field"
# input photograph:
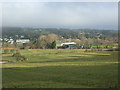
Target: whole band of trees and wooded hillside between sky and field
(46, 38)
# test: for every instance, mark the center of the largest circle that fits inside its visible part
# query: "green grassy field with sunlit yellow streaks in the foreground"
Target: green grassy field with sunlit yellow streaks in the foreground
(65, 68)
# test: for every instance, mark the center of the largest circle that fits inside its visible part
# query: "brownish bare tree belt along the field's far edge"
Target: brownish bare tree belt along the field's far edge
(49, 41)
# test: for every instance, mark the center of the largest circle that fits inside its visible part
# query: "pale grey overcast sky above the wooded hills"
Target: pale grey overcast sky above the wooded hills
(93, 15)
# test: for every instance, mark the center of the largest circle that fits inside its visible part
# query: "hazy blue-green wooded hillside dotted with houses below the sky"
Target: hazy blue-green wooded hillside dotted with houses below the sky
(33, 33)
